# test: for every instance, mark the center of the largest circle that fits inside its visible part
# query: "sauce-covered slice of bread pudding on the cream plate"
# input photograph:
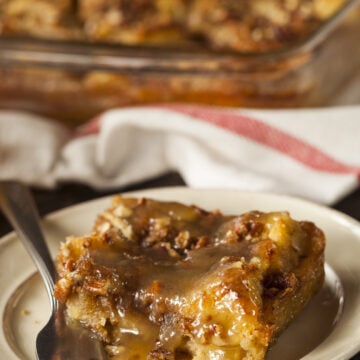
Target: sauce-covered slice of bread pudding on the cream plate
(163, 280)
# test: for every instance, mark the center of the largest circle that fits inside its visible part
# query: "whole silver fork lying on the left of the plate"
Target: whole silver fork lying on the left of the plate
(57, 340)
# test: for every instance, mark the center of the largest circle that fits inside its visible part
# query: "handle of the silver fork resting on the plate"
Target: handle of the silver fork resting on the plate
(19, 208)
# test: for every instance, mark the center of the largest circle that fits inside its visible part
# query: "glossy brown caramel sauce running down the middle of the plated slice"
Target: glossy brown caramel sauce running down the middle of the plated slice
(157, 284)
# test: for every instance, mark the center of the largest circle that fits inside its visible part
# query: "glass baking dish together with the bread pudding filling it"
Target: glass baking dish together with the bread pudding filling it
(116, 53)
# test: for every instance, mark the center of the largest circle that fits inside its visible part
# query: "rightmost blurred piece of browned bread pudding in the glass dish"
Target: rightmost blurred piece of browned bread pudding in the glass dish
(258, 25)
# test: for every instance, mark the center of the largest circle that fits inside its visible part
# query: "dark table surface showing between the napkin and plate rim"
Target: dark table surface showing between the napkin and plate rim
(70, 194)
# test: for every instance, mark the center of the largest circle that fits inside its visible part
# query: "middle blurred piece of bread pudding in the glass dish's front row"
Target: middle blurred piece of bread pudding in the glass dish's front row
(132, 21)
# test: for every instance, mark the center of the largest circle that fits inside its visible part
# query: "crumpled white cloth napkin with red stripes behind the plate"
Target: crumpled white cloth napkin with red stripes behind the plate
(312, 153)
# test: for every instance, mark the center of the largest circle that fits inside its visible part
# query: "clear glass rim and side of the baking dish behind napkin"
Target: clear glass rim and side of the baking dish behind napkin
(74, 81)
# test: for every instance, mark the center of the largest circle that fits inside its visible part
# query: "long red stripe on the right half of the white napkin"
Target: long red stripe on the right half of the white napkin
(267, 135)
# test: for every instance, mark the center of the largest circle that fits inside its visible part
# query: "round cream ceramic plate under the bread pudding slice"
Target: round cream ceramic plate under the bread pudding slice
(328, 329)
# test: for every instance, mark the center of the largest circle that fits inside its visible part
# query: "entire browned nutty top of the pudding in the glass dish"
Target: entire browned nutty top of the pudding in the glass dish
(245, 26)
